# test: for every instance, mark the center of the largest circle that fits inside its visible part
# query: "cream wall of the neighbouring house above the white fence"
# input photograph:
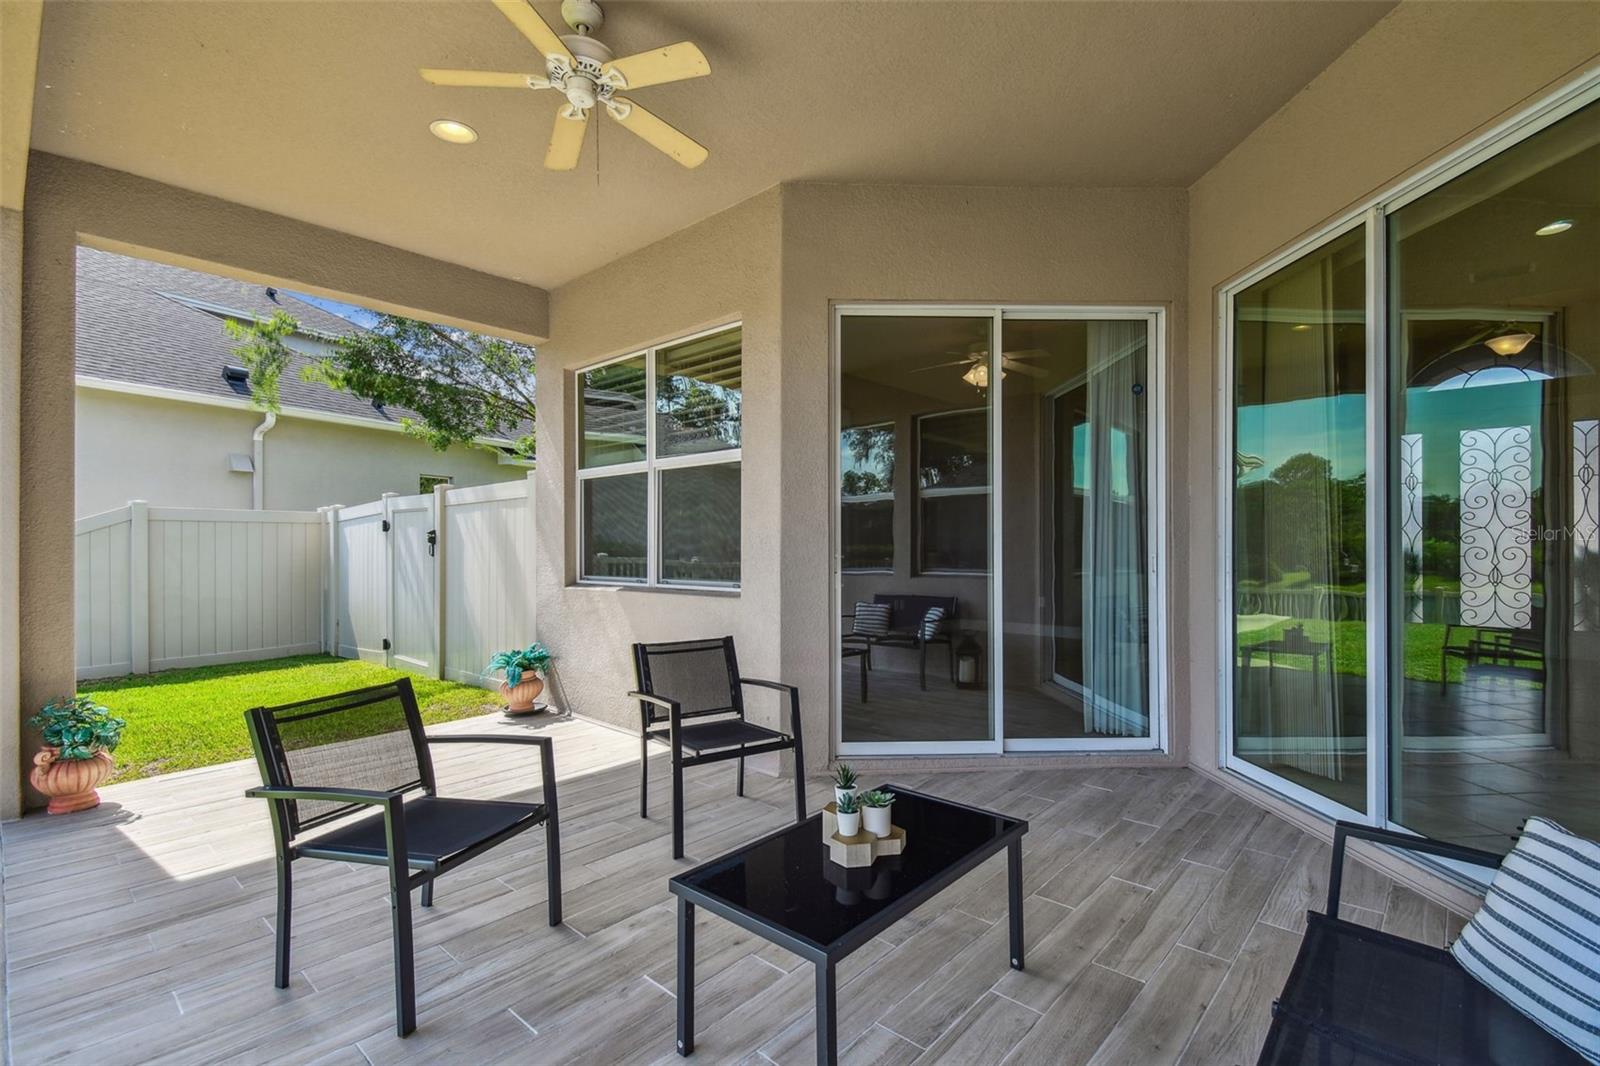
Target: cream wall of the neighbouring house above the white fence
(175, 455)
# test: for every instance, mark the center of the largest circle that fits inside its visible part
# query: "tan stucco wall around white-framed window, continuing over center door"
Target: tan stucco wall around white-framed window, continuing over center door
(777, 262)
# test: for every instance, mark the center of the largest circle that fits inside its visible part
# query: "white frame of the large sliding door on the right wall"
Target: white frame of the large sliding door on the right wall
(1382, 543)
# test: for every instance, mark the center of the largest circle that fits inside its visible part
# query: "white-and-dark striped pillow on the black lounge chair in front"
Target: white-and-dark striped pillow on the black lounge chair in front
(1537, 940)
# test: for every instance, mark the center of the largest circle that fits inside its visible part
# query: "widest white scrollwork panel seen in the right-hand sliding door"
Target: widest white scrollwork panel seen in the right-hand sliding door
(1497, 558)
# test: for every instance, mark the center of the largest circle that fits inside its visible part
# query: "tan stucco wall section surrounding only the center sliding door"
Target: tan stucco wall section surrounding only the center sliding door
(1098, 247)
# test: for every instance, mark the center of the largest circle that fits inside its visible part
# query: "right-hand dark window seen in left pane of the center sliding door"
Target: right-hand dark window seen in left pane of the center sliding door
(953, 492)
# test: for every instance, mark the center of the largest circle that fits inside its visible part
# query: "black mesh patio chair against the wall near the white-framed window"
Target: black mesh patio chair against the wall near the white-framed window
(692, 695)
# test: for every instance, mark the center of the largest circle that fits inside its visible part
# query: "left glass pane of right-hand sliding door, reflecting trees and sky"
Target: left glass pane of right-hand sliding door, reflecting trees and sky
(1300, 527)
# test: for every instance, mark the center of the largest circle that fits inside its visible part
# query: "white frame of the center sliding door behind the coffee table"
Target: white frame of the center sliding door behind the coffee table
(1156, 563)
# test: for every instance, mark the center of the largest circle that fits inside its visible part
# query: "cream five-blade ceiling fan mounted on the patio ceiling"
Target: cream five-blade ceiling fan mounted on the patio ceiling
(582, 70)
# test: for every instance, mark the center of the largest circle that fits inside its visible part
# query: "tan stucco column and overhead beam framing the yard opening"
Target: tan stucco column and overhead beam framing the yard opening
(71, 202)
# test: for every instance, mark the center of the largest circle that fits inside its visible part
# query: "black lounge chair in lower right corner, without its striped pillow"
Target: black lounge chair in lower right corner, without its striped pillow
(1361, 996)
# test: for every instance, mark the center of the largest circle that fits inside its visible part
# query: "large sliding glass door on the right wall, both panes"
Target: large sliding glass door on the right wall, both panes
(1414, 457)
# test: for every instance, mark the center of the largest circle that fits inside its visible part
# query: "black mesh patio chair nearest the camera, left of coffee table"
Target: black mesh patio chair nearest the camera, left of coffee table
(329, 763)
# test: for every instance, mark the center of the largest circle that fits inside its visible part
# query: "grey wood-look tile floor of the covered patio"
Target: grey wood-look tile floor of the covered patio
(1162, 918)
